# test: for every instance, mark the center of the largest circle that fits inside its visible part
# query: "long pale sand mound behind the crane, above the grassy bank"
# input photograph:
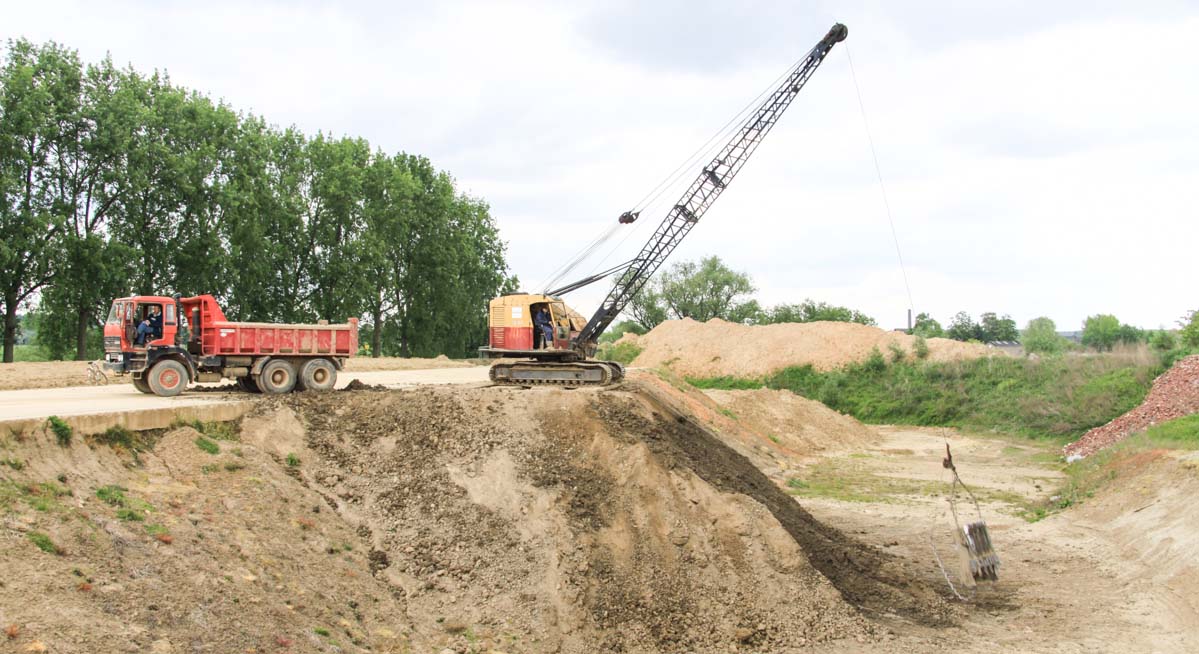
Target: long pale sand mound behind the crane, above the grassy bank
(719, 349)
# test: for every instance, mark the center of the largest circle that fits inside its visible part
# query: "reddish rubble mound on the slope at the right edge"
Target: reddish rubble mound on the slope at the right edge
(1176, 394)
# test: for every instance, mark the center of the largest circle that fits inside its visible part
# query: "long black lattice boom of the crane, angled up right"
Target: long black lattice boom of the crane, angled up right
(703, 193)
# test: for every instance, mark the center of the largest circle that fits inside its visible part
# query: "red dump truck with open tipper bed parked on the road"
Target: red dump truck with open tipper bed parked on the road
(167, 344)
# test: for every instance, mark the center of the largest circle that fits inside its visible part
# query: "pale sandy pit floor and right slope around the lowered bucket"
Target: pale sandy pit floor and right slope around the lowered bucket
(1116, 575)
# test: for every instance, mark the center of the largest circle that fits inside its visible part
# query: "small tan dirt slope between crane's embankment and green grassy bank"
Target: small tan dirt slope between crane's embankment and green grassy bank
(802, 425)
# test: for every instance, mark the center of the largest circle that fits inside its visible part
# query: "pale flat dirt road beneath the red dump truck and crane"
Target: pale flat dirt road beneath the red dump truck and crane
(20, 406)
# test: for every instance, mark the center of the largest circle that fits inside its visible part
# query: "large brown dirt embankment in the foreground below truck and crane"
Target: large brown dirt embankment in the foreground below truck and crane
(471, 519)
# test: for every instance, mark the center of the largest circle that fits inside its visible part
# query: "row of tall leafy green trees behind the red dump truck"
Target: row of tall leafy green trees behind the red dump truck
(116, 183)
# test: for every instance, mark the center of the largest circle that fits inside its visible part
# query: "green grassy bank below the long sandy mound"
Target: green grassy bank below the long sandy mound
(1057, 398)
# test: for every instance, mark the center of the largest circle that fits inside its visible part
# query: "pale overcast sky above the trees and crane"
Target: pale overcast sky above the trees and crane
(1041, 159)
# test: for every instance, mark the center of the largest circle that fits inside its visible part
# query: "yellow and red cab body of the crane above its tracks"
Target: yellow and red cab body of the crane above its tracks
(511, 331)
